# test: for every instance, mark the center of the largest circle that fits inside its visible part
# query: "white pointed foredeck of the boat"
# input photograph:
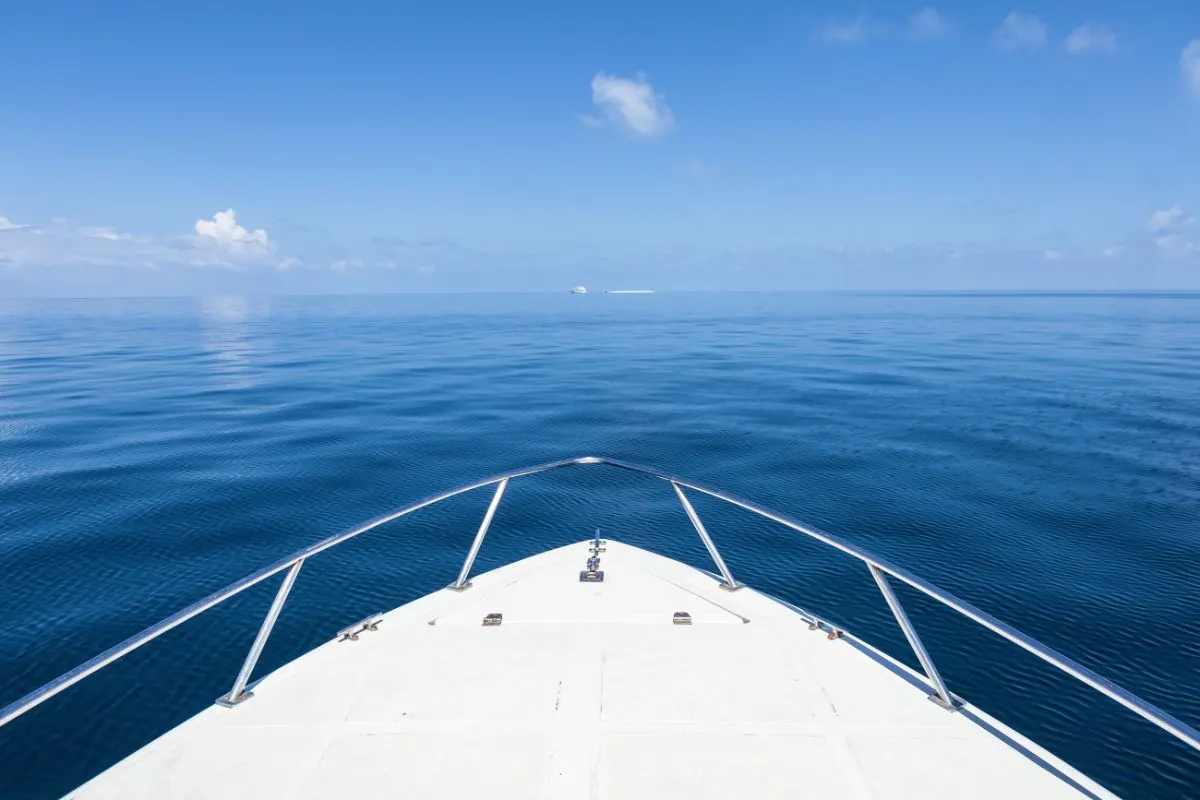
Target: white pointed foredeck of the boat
(589, 690)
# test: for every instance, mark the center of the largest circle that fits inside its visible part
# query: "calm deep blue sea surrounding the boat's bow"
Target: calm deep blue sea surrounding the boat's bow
(1036, 455)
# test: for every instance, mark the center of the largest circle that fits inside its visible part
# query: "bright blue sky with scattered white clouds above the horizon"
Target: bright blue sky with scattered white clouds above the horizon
(279, 148)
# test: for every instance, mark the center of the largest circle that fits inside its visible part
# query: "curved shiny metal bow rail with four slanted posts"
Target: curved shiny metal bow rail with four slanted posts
(881, 570)
